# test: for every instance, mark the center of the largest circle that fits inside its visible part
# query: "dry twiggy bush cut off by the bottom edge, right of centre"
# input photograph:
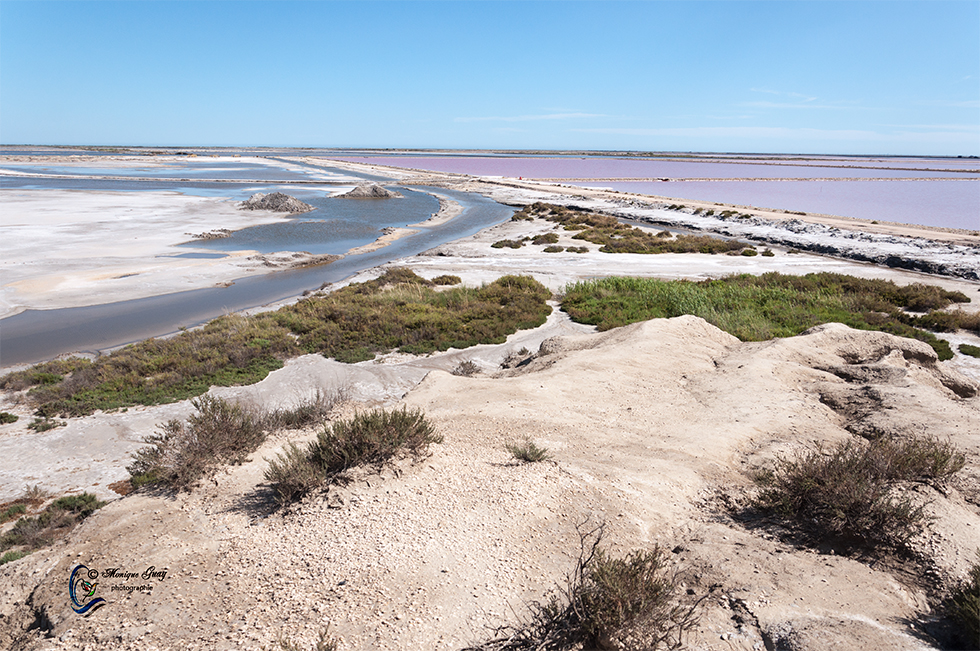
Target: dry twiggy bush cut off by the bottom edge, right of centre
(632, 602)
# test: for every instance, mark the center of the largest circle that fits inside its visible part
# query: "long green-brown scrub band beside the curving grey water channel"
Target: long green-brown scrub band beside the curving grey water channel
(399, 310)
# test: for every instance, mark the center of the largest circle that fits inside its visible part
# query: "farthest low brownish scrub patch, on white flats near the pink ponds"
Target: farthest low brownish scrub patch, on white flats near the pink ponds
(616, 237)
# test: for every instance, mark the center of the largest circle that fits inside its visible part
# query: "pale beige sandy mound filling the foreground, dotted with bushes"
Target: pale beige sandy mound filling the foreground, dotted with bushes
(653, 428)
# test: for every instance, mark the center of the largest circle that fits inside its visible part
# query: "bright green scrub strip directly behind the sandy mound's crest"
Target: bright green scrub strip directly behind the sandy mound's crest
(757, 308)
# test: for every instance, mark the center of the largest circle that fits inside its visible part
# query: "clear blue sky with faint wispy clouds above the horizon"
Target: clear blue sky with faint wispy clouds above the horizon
(792, 77)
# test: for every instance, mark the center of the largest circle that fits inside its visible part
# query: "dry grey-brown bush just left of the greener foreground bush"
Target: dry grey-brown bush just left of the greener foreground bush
(182, 453)
